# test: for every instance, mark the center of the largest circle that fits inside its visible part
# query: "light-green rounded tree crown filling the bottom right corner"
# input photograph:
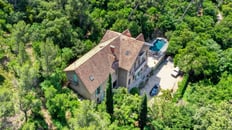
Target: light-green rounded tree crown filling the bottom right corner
(214, 117)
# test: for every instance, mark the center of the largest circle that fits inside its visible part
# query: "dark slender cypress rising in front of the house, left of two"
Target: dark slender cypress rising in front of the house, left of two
(109, 98)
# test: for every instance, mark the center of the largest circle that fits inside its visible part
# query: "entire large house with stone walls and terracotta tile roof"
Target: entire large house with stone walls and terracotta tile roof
(118, 54)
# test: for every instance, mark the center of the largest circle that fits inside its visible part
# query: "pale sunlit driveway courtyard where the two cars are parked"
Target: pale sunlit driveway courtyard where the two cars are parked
(161, 76)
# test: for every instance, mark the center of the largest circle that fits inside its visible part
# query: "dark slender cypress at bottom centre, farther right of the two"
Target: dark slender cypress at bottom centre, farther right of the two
(143, 113)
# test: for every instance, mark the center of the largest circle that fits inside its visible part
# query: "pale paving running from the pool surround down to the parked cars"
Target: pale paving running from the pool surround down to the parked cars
(162, 69)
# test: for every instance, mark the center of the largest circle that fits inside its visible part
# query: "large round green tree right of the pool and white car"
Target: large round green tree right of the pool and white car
(197, 60)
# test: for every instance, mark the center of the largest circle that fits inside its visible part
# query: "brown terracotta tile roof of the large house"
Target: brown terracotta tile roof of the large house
(94, 67)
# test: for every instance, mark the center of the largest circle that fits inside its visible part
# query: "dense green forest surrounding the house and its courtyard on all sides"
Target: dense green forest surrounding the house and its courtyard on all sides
(39, 38)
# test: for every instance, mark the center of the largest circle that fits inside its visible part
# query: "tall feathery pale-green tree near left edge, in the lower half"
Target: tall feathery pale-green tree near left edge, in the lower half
(28, 79)
